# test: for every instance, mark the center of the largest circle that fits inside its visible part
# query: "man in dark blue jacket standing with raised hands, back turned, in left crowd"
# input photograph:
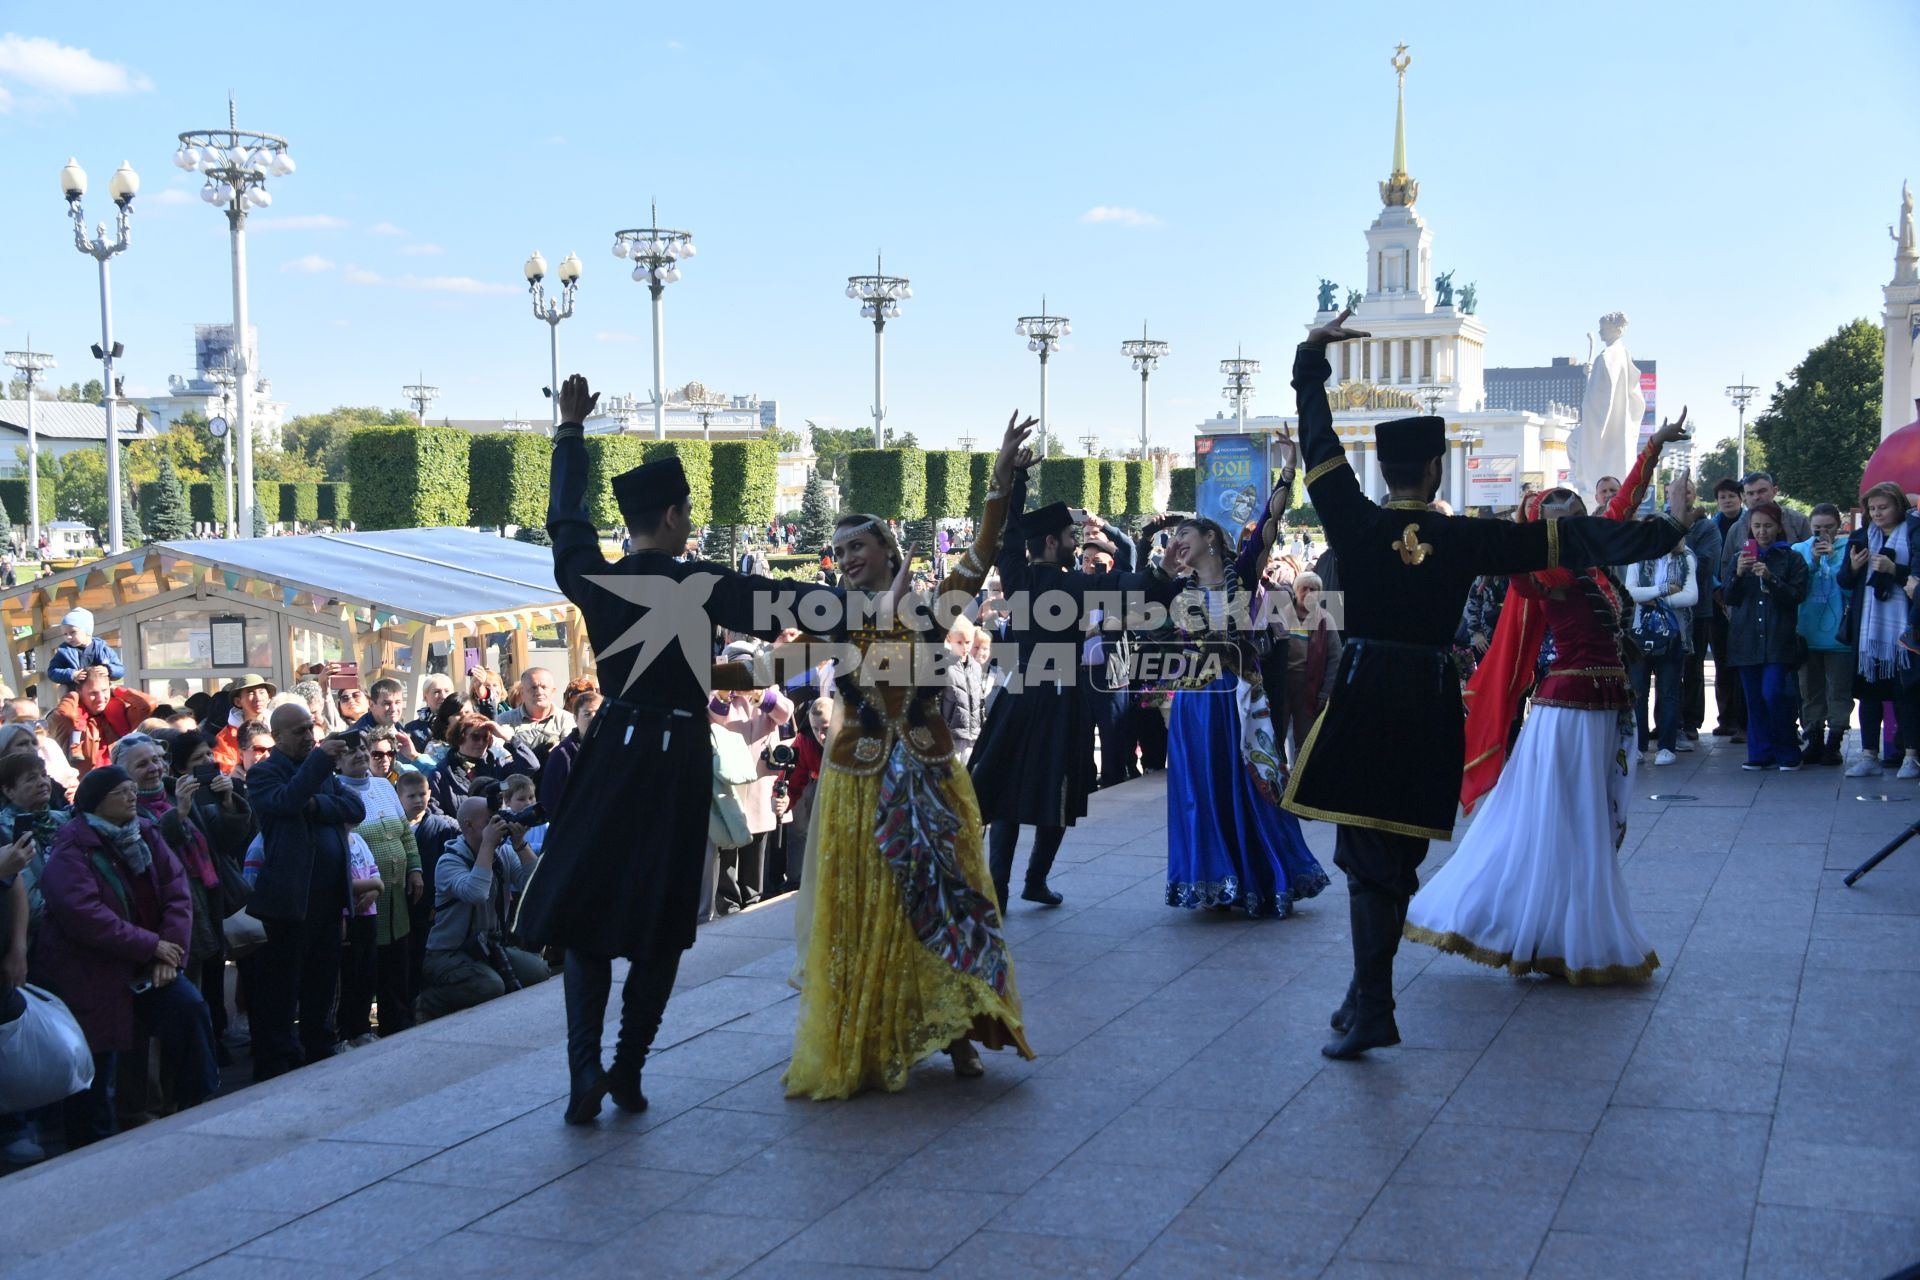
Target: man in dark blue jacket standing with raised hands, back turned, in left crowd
(304, 815)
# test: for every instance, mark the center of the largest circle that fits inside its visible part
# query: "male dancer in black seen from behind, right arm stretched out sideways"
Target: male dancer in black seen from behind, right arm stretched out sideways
(1404, 573)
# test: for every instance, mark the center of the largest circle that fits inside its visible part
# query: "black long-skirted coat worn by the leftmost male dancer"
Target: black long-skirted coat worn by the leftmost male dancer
(621, 866)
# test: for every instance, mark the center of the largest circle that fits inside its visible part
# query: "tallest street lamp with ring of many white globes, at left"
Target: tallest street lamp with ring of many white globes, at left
(237, 164)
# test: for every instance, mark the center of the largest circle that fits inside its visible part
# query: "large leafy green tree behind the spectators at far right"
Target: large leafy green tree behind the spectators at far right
(1823, 423)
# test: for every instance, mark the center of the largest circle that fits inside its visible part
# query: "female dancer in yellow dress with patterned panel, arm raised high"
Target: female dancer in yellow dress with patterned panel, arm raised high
(905, 951)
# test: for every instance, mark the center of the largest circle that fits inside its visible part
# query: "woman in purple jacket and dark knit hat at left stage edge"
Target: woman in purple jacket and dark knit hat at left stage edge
(114, 947)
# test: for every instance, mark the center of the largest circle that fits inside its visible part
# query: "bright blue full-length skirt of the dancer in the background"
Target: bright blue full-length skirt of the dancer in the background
(1228, 845)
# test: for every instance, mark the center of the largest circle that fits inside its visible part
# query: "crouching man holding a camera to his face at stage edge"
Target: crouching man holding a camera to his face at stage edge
(468, 955)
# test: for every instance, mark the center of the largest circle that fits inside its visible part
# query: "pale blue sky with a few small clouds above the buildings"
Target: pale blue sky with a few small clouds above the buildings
(1723, 174)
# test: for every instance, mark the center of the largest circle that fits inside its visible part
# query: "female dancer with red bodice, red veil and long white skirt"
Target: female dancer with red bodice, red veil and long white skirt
(1535, 888)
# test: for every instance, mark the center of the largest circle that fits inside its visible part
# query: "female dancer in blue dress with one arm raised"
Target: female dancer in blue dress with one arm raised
(1230, 843)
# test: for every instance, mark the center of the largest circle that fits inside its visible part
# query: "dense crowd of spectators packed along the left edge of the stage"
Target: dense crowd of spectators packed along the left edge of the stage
(262, 874)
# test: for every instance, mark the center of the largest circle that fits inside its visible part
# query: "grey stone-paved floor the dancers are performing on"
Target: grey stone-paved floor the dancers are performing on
(1754, 1112)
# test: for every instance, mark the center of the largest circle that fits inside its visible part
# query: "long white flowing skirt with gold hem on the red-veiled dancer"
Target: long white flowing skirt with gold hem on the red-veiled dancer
(1537, 884)
